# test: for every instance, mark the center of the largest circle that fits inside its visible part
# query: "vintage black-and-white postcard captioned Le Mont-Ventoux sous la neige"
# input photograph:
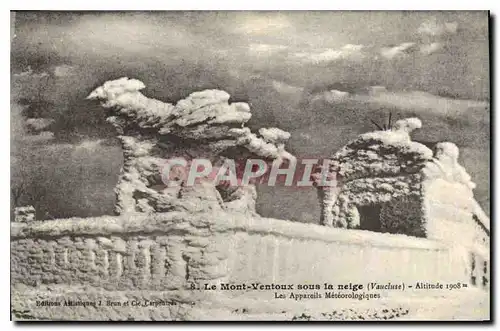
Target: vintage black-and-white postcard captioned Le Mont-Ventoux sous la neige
(250, 166)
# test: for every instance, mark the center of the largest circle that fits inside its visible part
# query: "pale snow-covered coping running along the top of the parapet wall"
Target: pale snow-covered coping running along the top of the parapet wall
(219, 221)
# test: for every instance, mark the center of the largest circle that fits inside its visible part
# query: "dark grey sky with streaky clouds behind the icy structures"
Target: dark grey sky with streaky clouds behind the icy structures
(311, 73)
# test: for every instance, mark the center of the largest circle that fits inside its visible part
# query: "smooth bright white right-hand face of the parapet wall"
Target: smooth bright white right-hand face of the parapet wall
(268, 259)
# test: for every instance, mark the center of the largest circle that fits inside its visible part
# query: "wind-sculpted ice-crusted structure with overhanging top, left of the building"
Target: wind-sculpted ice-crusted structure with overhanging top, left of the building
(203, 125)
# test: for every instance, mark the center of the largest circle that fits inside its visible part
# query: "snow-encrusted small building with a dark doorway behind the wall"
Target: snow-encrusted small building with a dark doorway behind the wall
(385, 182)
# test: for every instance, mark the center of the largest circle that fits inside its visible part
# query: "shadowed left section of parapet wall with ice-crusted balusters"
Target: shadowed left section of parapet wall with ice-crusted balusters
(160, 252)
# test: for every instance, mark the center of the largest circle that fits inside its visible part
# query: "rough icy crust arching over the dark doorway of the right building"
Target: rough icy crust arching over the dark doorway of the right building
(375, 167)
